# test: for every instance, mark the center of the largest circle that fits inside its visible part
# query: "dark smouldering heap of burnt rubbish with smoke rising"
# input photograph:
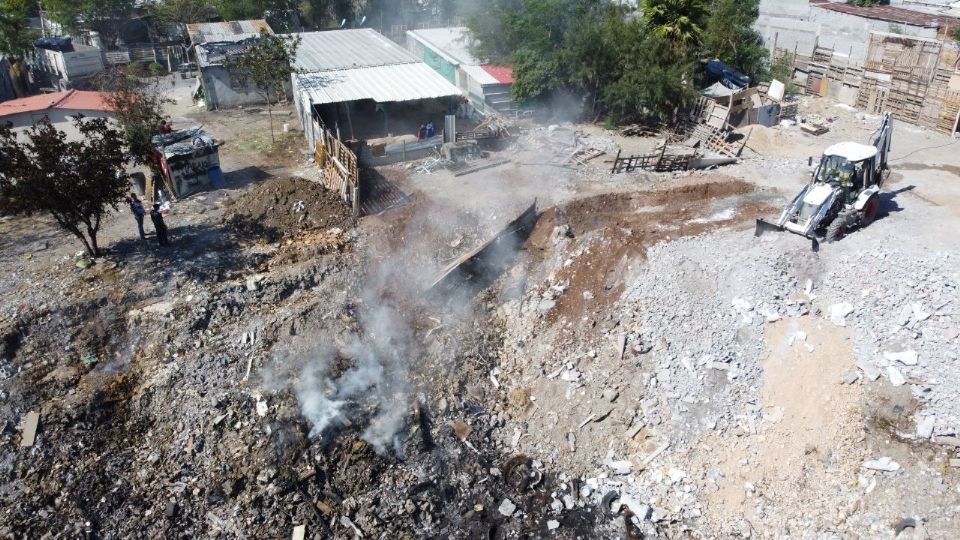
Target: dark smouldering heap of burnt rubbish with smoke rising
(280, 395)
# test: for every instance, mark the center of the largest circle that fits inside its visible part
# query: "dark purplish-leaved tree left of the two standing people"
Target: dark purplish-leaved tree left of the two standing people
(74, 181)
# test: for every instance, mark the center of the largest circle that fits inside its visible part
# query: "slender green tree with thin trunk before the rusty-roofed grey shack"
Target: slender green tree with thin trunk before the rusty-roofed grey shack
(267, 65)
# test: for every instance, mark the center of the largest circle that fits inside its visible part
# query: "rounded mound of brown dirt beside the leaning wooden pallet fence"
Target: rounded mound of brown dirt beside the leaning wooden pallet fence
(285, 207)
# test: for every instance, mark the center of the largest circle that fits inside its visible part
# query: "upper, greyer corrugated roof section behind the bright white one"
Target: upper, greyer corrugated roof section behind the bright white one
(348, 49)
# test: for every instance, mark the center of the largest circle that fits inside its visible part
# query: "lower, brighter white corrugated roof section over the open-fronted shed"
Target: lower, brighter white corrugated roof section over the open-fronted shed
(383, 84)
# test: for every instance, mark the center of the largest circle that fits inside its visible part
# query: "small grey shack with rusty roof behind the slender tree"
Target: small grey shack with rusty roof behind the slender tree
(215, 46)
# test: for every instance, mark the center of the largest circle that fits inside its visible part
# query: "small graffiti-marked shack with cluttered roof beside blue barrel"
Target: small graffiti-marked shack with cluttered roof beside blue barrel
(189, 160)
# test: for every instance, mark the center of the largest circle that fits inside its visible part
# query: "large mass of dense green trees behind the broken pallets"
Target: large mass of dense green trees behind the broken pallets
(626, 63)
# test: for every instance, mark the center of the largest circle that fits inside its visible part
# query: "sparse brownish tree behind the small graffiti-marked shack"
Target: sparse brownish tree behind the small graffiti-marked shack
(138, 109)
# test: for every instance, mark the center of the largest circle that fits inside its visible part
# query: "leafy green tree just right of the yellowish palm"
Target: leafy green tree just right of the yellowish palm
(729, 35)
